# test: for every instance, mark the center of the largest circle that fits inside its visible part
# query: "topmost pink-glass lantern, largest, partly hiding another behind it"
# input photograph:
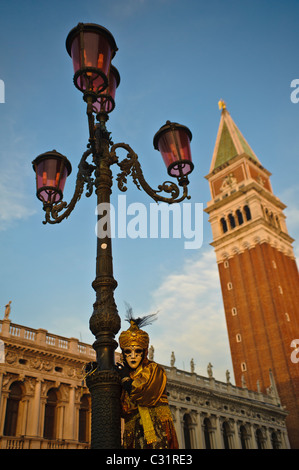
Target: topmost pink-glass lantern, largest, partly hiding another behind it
(92, 48)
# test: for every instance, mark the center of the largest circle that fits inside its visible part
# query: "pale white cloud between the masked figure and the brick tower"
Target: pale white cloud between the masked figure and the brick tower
(191, 318)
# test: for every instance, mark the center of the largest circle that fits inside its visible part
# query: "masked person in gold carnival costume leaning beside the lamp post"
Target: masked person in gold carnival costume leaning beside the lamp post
(145, 409)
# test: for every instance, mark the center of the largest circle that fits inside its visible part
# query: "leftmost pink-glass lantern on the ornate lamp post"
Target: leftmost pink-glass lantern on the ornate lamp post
(52, 169)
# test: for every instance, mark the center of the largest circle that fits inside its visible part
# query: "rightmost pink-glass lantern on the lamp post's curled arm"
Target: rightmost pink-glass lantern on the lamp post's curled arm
(173, 141)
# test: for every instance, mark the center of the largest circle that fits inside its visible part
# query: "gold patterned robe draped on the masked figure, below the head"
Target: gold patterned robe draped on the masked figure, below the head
(148, 420)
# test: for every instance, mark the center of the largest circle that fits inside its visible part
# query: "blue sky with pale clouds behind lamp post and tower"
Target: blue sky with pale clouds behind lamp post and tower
(176, 60)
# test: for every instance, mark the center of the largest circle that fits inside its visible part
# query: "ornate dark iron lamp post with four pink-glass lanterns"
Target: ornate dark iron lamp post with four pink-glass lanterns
(92, 48)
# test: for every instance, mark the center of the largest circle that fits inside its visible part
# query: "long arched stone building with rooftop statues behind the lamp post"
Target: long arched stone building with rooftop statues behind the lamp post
(44, 403)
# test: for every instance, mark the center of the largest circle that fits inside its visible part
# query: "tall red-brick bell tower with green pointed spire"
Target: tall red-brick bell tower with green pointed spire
(257, 269)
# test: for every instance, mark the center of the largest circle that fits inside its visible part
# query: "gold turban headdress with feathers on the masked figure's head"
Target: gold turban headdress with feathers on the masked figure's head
(134, 335)
